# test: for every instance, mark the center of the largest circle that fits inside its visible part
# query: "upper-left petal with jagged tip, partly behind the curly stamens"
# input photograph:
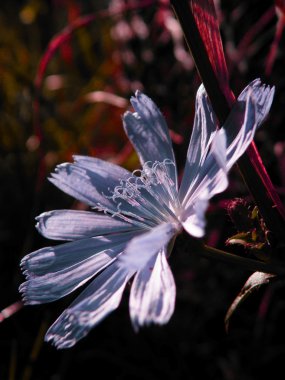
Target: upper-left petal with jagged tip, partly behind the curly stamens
(93, 181)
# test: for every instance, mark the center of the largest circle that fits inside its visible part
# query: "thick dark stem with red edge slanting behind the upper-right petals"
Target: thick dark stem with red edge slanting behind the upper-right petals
(250, 164)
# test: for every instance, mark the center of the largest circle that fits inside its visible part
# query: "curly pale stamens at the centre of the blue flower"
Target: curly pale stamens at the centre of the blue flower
(148, 197)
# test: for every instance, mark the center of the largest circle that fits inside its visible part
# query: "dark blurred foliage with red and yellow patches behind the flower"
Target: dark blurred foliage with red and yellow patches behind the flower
(85, 90)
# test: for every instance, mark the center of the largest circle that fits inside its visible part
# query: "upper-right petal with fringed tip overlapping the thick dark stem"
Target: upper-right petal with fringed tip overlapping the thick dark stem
(249, 111)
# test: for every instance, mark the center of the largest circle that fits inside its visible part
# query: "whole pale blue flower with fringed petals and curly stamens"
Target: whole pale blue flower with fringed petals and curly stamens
(136, 216)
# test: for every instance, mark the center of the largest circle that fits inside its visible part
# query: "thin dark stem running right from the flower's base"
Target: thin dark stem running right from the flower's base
(250, 264)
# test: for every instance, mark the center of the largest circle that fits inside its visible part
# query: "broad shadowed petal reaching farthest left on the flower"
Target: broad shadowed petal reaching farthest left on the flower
(54, 272)
